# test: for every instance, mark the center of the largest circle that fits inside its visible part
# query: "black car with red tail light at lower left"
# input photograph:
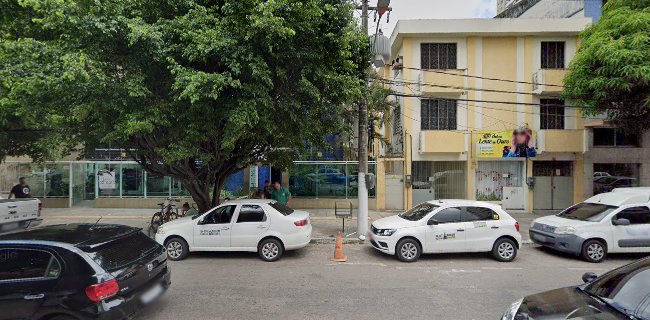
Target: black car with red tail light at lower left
(79, 271)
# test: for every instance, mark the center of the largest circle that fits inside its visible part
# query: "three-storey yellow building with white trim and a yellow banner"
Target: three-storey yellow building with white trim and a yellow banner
(466, 89)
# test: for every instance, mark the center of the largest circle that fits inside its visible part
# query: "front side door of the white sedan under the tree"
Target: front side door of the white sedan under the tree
(214, 230)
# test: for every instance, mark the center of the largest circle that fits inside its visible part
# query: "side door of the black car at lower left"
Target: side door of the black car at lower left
(27, 278)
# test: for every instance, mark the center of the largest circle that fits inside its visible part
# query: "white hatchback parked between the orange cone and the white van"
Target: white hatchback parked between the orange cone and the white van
(442, 226)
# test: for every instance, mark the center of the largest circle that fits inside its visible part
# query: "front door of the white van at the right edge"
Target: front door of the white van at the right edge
(634, 237)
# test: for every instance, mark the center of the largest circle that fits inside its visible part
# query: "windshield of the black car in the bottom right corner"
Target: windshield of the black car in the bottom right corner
(626, 289)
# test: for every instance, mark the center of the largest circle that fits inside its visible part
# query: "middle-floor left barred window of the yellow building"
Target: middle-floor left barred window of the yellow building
(438, 114)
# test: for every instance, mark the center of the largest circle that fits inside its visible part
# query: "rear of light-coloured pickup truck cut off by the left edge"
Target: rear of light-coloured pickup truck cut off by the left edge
(19, 213)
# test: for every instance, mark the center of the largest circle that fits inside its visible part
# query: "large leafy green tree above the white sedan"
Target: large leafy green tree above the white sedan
(200, 89)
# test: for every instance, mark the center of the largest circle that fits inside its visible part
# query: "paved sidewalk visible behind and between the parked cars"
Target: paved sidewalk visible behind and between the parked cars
(325, 225)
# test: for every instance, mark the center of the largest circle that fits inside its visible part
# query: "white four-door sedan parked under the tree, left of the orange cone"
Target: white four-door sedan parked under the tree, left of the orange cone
(263, 226)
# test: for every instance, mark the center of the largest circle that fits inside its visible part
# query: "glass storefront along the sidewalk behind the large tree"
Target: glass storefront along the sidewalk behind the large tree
(114, 179)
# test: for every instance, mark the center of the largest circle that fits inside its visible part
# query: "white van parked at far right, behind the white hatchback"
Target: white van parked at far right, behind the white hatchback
(618, 221)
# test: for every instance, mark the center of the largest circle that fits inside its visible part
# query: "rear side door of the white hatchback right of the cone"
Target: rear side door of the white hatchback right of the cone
(481, 229)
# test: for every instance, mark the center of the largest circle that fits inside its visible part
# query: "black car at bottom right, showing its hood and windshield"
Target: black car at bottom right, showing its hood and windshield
(623, 293)
